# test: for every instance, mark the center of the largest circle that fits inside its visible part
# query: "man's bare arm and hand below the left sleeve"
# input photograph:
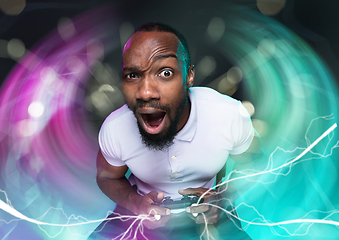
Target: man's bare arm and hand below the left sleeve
(112, 182)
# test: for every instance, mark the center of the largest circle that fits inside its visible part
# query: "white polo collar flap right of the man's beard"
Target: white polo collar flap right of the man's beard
(188, 131)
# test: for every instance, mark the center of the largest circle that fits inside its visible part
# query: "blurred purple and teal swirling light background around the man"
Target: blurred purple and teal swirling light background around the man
(60, 67)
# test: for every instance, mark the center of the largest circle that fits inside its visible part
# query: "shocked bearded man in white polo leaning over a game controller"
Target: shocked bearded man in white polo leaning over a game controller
(173, 138)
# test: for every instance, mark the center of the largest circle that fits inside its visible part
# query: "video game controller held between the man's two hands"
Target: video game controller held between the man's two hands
(186, 201)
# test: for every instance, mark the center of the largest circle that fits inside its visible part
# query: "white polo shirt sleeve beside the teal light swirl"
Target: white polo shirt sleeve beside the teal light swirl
(242, 131)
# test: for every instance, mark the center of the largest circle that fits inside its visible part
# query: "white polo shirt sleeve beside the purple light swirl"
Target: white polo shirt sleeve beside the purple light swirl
(107, 144)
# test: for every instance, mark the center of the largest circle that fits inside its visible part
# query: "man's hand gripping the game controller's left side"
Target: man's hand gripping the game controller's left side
(158, 216)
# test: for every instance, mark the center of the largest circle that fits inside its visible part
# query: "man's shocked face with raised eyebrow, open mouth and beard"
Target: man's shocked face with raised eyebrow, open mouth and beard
(154, 87)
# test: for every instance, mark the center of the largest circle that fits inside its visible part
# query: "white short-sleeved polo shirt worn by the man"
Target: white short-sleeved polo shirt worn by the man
(218, 125)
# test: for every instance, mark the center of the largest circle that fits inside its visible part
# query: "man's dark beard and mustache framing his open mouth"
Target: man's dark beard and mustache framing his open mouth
(163, 140)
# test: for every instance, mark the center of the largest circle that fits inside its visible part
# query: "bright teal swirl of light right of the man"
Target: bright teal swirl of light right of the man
(289, 86)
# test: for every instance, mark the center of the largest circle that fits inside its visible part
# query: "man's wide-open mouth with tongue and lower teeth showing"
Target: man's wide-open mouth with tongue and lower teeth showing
(154, 121)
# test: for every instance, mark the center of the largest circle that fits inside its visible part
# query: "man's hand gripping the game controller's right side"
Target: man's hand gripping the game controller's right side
(212, 214)
